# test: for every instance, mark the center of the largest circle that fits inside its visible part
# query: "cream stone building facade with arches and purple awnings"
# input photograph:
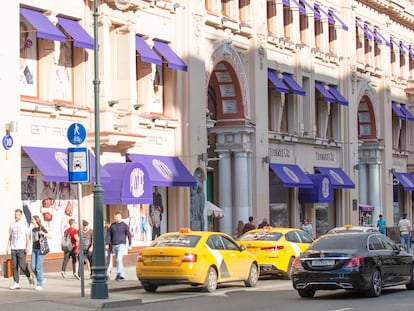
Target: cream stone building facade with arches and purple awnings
(278, 109)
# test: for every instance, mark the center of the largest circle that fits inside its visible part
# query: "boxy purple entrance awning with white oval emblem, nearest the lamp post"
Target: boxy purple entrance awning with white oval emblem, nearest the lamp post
(129, 184)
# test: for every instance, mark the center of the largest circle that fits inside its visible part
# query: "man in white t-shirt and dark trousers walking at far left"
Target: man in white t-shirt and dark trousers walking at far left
(19, 245)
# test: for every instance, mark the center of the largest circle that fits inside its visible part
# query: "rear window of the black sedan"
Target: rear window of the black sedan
(343, 241)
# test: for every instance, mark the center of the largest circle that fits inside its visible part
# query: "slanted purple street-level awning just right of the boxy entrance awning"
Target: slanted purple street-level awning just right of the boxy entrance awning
(165, 171)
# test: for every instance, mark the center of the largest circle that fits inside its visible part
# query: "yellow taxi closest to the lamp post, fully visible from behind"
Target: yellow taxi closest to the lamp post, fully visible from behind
(198, 258)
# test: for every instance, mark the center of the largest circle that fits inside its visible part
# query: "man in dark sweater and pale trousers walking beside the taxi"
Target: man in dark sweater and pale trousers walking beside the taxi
(117, 236)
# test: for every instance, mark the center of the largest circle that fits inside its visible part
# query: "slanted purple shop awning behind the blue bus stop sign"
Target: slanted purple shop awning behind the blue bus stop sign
(53, 163)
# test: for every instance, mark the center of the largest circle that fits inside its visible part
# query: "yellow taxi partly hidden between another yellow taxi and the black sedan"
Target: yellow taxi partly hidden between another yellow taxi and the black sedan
(275, 248)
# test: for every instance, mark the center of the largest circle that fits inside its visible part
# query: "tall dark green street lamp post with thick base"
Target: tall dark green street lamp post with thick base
(99, 287)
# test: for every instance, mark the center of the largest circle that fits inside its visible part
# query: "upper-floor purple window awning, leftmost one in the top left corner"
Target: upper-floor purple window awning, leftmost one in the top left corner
(44, 27)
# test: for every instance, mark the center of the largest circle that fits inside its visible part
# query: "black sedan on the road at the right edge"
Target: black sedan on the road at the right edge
(360, 261)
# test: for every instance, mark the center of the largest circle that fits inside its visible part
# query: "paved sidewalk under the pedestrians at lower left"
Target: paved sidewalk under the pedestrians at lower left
(67, 291)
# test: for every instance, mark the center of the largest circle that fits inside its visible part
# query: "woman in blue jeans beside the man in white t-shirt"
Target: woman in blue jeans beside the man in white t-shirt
(37, 258)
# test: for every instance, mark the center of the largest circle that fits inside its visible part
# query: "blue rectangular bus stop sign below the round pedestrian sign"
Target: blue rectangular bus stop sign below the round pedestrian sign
(78, 164)
